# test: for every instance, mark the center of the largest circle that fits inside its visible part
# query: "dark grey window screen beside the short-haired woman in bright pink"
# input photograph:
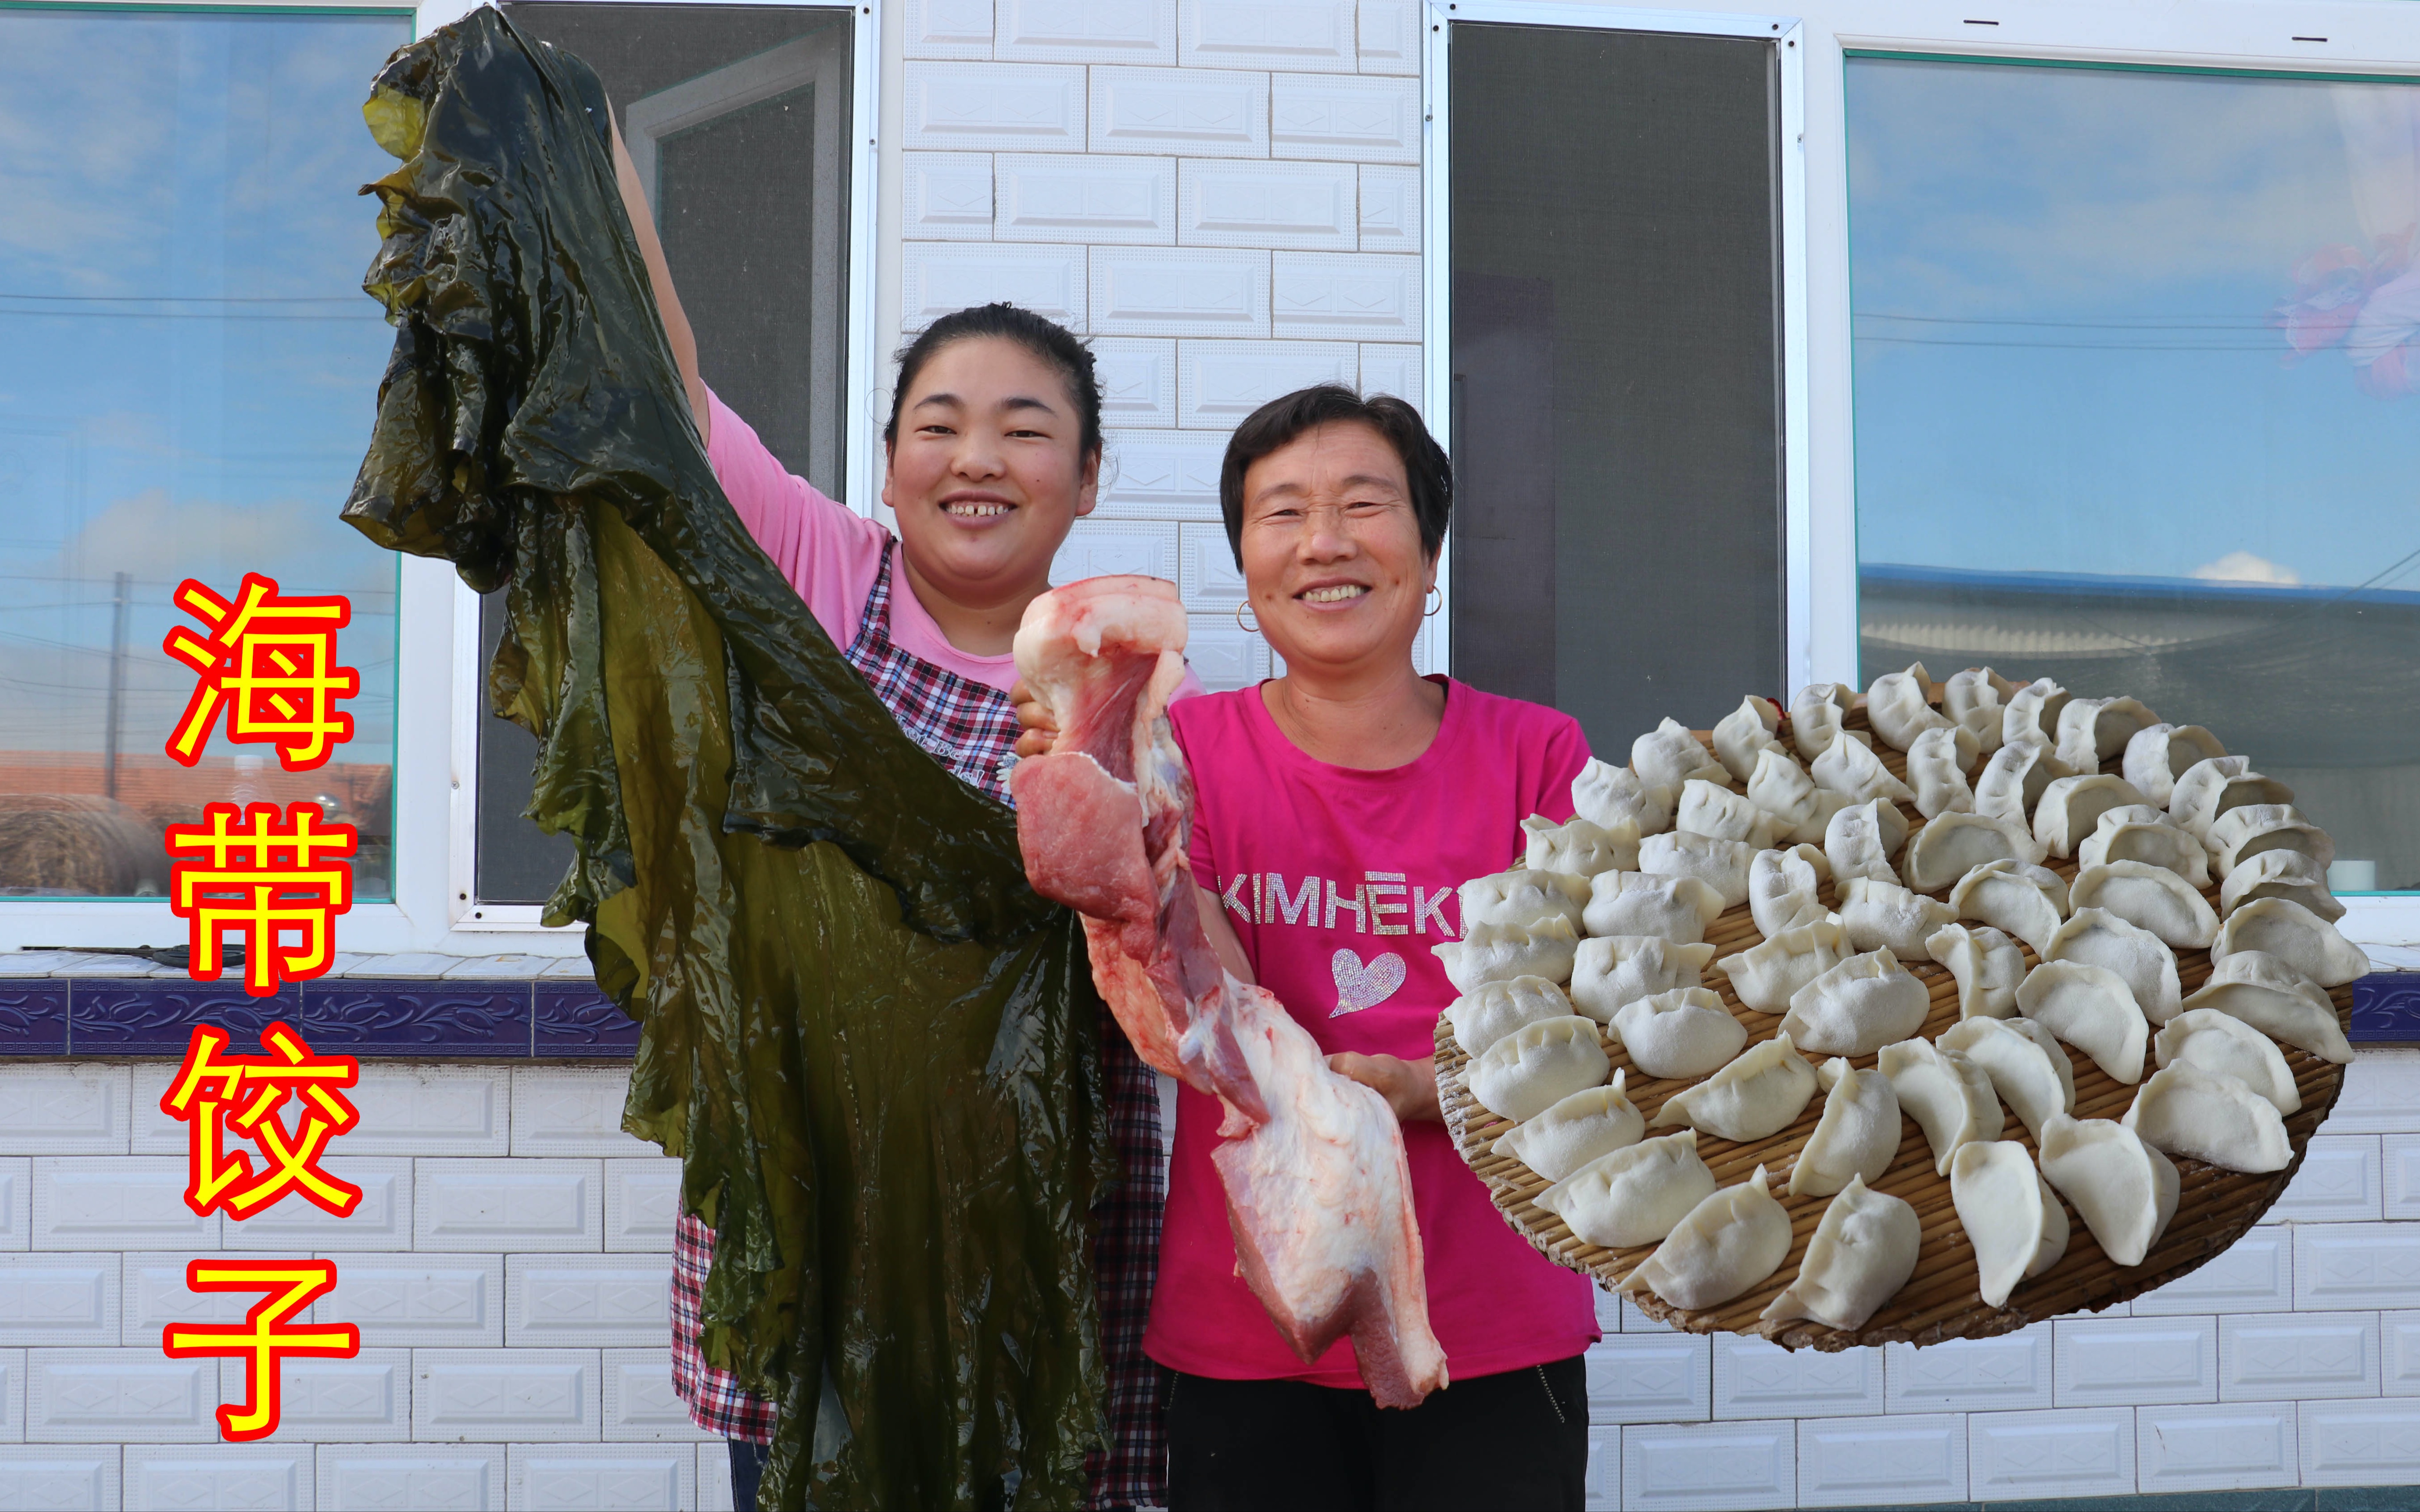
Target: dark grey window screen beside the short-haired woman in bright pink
(1618, 393)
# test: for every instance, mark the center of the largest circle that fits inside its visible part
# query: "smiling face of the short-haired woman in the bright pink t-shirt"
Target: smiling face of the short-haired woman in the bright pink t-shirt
(1332, 550)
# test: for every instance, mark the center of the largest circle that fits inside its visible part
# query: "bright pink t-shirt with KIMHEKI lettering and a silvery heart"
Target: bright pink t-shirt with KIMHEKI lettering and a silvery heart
(1337, 882)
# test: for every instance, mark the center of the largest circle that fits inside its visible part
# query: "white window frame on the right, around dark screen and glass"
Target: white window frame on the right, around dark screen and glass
(2375, 37)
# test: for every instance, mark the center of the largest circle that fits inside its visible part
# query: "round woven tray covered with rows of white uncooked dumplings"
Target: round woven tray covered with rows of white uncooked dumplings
(1901, 1020)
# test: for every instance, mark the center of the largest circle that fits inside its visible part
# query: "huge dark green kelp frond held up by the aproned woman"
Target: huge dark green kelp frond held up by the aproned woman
(860, 1029)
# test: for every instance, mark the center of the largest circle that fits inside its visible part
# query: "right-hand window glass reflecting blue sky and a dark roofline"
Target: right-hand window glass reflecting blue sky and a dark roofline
(2138, 408)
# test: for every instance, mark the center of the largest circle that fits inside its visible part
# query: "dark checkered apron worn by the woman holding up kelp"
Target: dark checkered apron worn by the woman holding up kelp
(972, 729)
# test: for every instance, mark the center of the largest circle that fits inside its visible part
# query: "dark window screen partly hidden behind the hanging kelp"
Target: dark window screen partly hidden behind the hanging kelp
(739, 125)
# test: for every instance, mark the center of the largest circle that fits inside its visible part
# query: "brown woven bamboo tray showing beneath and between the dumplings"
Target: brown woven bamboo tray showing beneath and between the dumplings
(1942, 1300)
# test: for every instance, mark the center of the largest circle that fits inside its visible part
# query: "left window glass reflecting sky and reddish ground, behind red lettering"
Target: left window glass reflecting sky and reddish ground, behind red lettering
(188, 393)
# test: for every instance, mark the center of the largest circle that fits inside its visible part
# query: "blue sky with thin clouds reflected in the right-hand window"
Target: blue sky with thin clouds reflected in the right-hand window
(2063, 354)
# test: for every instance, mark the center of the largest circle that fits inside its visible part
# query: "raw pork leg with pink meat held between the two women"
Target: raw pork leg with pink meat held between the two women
(1318, 1187)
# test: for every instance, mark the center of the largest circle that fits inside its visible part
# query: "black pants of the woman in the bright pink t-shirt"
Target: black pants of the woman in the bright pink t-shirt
(1514, 1443)
